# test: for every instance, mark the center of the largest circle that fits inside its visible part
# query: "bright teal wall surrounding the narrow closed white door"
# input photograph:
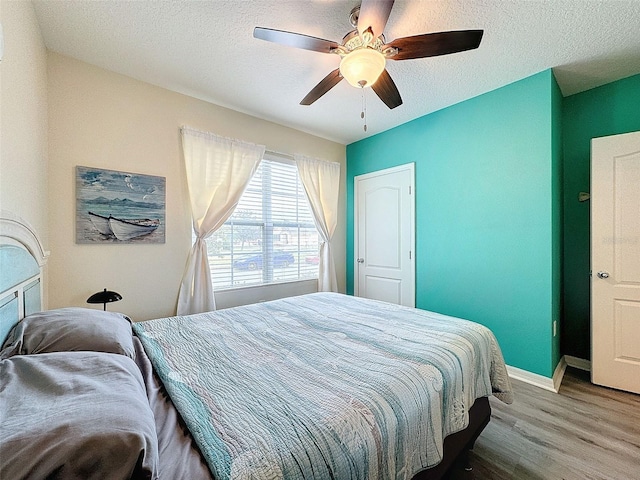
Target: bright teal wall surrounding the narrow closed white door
(488, 212)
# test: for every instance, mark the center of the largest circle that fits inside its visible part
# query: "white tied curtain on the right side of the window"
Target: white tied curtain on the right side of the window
(321, 181)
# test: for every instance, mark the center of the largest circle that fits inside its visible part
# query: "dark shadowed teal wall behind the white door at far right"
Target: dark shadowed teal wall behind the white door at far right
(608, 110)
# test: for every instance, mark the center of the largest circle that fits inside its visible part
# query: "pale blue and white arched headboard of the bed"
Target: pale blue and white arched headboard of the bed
(22, 259)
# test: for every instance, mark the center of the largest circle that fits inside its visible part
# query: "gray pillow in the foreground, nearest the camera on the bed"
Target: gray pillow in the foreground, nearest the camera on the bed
(75, 415)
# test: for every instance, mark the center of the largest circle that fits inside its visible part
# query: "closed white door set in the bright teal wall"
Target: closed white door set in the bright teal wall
(384, 235)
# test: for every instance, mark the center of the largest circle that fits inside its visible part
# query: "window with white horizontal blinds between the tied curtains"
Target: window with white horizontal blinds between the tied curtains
(271, 236)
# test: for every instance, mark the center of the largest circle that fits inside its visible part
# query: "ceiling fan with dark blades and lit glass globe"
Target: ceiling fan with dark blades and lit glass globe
(364, 50)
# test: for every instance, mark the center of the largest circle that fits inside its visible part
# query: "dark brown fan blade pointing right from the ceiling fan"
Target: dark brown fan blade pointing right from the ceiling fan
(434, 44)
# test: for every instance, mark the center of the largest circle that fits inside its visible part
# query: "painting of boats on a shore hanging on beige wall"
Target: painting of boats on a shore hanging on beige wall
(119, 207)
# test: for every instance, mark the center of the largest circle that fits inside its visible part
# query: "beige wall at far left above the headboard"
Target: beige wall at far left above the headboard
(23, 119)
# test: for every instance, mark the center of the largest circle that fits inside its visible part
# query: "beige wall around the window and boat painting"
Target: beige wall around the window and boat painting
(105, 120)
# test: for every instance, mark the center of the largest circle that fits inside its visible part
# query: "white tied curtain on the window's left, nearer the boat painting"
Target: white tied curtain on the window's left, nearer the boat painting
(218, 171)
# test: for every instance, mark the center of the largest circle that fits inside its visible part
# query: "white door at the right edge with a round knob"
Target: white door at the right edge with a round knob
(615, 261)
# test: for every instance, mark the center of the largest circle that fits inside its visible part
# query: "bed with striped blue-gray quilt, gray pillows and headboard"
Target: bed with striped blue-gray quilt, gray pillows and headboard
(318, 386)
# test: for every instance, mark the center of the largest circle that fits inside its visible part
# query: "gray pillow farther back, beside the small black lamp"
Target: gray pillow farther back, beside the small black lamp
(71, 329)
